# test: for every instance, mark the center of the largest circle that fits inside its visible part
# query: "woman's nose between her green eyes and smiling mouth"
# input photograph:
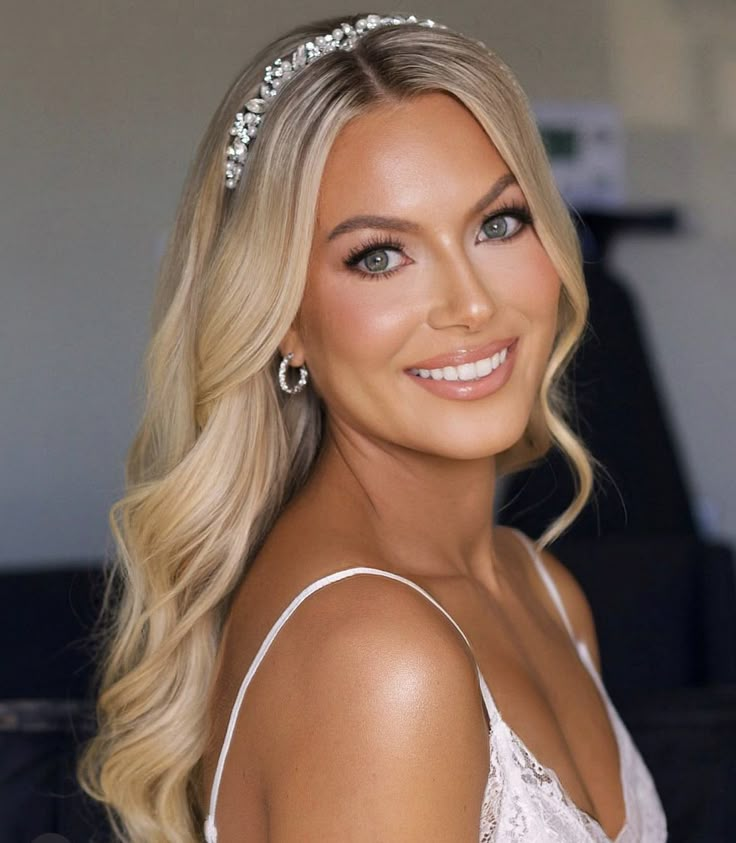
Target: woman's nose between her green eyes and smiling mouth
(461, 295)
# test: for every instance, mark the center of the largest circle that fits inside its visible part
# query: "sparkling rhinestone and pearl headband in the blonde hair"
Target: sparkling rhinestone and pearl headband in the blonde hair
(248, 119)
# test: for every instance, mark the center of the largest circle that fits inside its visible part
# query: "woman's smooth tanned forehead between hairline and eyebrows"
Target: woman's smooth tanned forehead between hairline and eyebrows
(397, 156)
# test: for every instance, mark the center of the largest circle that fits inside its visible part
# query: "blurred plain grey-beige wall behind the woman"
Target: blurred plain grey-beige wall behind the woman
(103, 105)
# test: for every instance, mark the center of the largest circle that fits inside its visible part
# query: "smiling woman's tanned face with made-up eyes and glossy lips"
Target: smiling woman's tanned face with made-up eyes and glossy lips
(456, 278)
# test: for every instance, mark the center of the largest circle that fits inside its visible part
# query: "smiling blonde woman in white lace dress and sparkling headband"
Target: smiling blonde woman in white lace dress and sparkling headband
(332, 398)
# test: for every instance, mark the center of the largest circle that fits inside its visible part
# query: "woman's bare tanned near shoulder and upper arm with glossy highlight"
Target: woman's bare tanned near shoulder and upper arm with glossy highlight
(383, 735)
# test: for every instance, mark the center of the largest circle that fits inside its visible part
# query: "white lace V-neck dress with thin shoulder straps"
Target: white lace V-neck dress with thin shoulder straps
(524, 801)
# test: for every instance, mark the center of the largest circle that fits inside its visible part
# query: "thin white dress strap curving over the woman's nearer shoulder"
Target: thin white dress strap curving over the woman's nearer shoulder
(210, 831)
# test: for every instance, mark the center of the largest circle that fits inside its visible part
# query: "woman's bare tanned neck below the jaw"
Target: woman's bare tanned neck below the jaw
(428, 514)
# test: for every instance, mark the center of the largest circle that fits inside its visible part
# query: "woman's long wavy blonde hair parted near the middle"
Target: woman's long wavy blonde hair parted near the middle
(220, 449)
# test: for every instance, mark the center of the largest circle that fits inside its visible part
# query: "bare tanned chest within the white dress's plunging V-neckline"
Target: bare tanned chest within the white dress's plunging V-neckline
(552, 712)
